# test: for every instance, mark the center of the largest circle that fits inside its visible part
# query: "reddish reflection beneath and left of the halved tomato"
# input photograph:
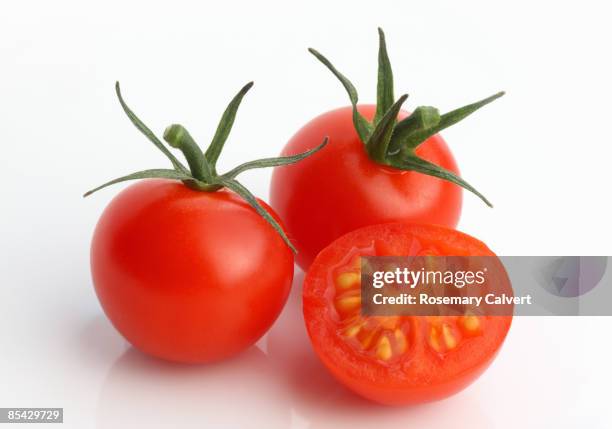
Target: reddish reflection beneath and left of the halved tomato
(324, 403)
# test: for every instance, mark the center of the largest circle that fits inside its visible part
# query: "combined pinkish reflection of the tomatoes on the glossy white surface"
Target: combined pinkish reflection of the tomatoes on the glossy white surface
(286, 386)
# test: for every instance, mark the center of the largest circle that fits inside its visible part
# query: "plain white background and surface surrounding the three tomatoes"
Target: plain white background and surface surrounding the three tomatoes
(541, 154)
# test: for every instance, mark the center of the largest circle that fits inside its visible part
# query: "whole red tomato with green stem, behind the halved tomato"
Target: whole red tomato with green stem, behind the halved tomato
(382, 164)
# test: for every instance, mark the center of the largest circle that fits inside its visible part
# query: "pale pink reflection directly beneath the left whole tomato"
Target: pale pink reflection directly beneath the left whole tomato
(141, 391)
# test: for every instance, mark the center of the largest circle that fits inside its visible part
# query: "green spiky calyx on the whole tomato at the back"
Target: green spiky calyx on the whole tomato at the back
(391, 142)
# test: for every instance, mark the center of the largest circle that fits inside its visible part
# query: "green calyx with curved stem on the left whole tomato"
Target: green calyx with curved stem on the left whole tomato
(202, 172)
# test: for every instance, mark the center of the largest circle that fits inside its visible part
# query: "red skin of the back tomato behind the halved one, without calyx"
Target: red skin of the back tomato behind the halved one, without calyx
(340, 189)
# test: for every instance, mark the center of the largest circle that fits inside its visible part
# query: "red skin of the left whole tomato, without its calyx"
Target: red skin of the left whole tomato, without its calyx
(188, 276)
